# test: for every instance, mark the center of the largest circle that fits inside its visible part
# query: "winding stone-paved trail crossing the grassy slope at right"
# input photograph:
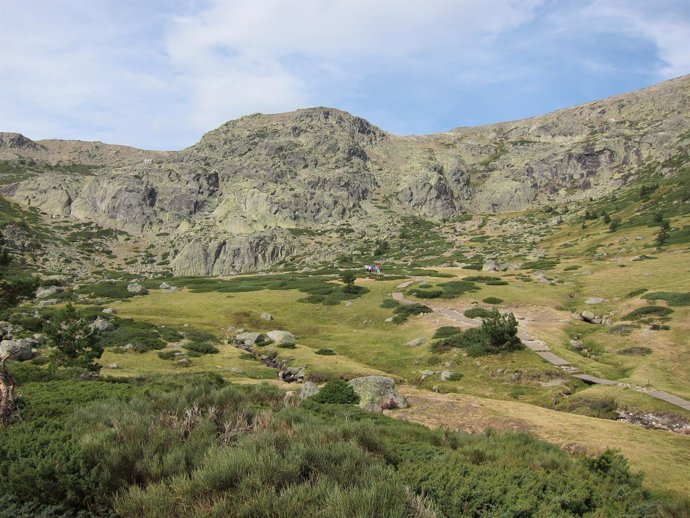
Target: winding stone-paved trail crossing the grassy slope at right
(541, 348)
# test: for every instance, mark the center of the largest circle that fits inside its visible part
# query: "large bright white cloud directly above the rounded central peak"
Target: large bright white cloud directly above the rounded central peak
(237, 57)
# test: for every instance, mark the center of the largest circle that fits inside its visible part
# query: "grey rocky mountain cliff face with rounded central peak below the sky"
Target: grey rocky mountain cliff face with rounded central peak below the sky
(229, 202)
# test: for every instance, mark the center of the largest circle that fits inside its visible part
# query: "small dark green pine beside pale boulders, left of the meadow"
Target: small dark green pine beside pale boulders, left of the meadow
(74, 340)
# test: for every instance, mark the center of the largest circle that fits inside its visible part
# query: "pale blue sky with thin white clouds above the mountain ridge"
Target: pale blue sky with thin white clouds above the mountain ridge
(158, 74)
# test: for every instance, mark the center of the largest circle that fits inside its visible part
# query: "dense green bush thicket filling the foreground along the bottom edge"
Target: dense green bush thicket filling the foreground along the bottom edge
(197, 446)
